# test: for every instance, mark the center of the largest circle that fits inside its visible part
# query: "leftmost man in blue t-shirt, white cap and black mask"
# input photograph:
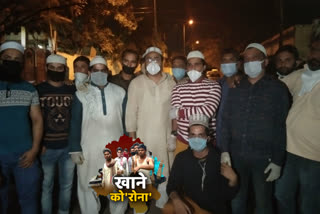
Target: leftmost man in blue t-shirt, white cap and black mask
(20, 131)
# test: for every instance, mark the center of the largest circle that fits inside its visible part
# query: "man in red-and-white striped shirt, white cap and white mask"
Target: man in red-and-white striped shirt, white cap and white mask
(198, 95)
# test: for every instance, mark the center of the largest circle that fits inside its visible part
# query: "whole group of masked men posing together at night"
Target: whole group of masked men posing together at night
(214, 138)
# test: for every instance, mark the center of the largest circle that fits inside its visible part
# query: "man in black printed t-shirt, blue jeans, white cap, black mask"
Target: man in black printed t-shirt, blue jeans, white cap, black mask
(55, 99)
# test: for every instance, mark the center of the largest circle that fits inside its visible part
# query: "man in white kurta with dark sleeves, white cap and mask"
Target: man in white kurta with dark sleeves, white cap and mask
(96, 120)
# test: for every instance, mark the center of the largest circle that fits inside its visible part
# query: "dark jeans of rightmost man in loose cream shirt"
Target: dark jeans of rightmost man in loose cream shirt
(299, 175)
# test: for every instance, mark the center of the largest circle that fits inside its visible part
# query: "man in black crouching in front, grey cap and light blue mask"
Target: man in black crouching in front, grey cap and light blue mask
(198, 183)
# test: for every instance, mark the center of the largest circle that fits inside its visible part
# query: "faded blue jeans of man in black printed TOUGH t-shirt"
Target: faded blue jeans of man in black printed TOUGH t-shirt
(50, 159)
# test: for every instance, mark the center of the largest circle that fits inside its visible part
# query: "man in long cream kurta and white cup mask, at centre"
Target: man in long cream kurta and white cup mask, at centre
(147, 113)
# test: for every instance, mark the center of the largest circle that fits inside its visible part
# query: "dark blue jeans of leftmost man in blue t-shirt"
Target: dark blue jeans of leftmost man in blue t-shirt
(27, 183)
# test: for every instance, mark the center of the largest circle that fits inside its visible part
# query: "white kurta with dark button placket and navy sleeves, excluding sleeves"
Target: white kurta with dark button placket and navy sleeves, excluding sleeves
(97, 131)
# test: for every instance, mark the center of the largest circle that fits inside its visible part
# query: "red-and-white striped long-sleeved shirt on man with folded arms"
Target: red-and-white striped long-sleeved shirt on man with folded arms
(192, 98)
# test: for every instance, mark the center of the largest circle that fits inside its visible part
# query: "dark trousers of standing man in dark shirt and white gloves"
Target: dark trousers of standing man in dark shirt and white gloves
(252, 170)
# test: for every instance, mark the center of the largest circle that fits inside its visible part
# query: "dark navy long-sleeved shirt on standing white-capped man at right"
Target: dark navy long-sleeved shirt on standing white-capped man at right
(254, 120)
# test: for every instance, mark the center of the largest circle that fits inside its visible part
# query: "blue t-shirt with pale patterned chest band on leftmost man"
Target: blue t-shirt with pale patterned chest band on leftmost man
(15, 127)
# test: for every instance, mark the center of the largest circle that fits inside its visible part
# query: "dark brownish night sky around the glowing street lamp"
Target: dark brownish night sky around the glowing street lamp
(235, 22)
